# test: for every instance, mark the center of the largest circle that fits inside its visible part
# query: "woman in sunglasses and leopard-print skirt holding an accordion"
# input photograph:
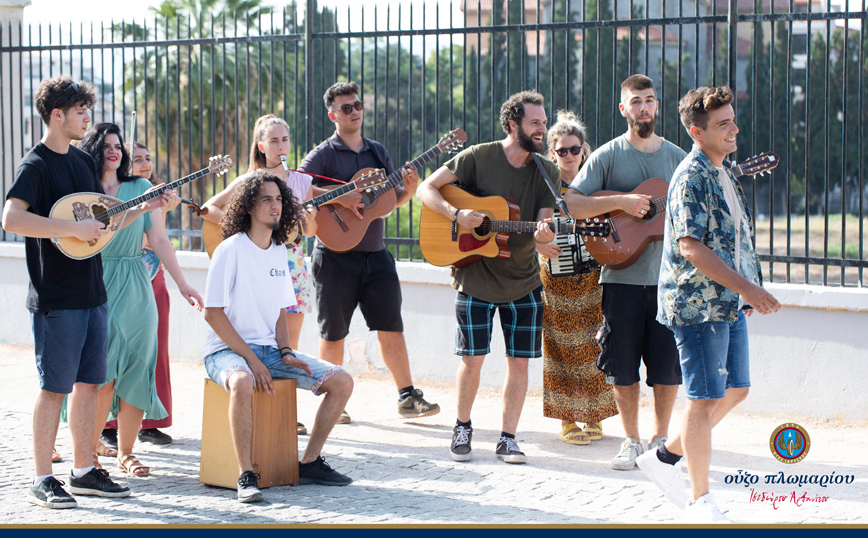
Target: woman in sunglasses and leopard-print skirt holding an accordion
(574, 390)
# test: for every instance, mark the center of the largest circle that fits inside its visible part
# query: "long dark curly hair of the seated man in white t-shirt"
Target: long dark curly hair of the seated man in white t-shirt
(237, 216)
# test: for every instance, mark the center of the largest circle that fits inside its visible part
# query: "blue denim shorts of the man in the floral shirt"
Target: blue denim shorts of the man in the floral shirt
(714, 357)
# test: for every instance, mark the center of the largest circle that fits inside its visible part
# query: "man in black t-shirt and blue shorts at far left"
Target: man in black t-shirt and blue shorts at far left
(66, 298)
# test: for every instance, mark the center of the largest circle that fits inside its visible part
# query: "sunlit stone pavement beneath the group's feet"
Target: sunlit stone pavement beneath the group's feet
(403, 473)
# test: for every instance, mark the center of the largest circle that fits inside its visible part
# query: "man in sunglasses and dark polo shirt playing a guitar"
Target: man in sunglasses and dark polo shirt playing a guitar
(365, 274)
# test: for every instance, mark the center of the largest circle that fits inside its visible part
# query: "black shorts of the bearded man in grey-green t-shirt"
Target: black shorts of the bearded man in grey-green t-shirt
(635, 336)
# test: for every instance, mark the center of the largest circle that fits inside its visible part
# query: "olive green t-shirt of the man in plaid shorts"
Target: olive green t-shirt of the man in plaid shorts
(484, 170)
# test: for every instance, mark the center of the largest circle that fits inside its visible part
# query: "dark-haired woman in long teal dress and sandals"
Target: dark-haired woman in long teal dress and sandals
(130, 392)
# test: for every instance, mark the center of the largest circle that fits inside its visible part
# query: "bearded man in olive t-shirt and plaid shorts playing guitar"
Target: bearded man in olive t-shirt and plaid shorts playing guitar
(512, 286)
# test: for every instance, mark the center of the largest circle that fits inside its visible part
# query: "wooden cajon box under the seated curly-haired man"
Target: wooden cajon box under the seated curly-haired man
(275, 438)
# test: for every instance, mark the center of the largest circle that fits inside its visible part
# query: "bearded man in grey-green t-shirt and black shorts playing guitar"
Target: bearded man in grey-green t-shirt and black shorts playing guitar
(630, 331)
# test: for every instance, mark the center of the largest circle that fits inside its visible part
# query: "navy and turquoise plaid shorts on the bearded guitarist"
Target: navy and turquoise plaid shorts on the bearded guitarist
(521, 321)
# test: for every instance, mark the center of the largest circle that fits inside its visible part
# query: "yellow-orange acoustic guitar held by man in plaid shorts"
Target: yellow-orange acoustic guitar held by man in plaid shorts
(444, 242)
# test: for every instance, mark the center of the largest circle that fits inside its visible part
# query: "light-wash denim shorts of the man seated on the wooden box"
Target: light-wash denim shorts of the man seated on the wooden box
(220, 366)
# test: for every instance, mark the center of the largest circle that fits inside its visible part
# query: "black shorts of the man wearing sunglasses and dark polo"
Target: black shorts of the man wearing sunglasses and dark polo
(345, 280)
